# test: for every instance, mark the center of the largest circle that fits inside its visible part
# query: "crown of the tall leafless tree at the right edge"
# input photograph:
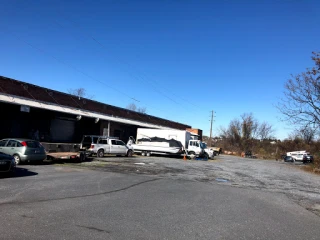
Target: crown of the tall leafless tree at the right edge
(301, 102)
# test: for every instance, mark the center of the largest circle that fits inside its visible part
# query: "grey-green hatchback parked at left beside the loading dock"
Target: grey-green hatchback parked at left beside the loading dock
(23, 150)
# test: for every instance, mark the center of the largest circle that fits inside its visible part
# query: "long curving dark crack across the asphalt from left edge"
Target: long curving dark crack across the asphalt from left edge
(81, 196)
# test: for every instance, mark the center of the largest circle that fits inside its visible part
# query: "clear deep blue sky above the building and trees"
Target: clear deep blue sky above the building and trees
(179, 59)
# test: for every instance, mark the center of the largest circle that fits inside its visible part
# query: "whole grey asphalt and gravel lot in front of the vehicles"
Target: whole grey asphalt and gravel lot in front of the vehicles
(161, 198)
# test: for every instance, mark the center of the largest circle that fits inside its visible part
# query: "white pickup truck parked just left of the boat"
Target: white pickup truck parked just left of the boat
(101, 145)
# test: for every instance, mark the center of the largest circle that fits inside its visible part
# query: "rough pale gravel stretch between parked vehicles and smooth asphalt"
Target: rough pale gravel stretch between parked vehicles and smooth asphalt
(264, 175)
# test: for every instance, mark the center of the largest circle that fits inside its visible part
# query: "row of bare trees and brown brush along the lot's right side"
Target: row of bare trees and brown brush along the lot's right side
(299, 107)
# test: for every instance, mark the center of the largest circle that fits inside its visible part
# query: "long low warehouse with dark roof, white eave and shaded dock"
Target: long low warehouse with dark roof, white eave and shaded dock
(61, 117)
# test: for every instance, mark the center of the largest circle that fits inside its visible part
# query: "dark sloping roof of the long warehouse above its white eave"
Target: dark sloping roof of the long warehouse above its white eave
(18, 89)
